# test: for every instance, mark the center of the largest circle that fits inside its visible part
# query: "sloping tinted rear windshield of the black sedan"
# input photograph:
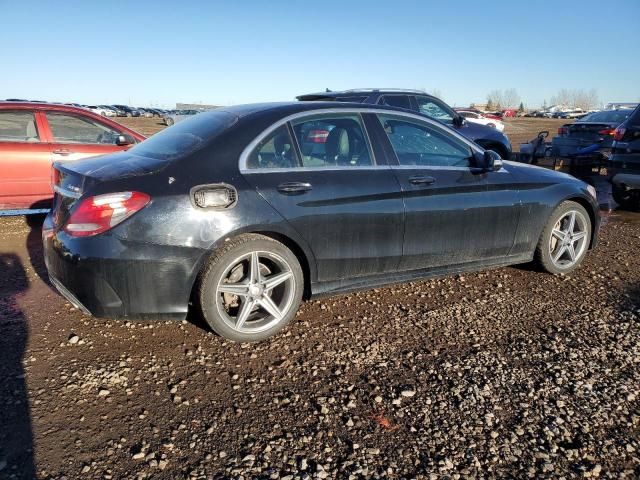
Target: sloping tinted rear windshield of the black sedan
(185, 137)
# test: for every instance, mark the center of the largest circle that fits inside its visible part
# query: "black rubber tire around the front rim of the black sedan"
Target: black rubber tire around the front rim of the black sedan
(542, 256)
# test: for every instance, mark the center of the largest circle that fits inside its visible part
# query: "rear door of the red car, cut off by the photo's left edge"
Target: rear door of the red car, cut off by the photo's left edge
(25, 162)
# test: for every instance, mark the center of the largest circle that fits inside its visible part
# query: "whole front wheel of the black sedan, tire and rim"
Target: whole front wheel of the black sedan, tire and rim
(562, 245)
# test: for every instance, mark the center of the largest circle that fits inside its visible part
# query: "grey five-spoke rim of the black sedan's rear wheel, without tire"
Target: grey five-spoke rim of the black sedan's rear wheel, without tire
(255, 292)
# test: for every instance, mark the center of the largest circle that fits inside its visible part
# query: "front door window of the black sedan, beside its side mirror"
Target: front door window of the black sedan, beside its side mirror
(417, 144)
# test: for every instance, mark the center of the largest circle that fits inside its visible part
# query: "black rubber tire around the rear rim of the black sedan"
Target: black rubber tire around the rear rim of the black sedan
(219, 264)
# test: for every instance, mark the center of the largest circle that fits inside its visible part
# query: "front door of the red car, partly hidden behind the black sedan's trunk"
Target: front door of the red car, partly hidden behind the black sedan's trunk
(74, 136)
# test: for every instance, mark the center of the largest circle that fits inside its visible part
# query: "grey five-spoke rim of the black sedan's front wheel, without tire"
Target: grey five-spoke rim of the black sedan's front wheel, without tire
(568, 239)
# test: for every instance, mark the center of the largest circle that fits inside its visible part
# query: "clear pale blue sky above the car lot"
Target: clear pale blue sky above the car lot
(157, 53)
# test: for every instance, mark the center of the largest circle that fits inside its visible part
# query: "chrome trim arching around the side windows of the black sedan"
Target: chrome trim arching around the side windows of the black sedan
(244, 156)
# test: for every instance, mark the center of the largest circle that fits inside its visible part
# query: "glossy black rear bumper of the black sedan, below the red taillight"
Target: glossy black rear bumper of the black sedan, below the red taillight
(106, 276)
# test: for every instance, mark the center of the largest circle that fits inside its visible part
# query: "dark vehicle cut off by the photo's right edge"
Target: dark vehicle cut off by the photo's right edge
(624, 163)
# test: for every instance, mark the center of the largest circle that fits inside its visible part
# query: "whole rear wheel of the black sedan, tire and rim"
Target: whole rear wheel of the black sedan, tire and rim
(244, 311)
